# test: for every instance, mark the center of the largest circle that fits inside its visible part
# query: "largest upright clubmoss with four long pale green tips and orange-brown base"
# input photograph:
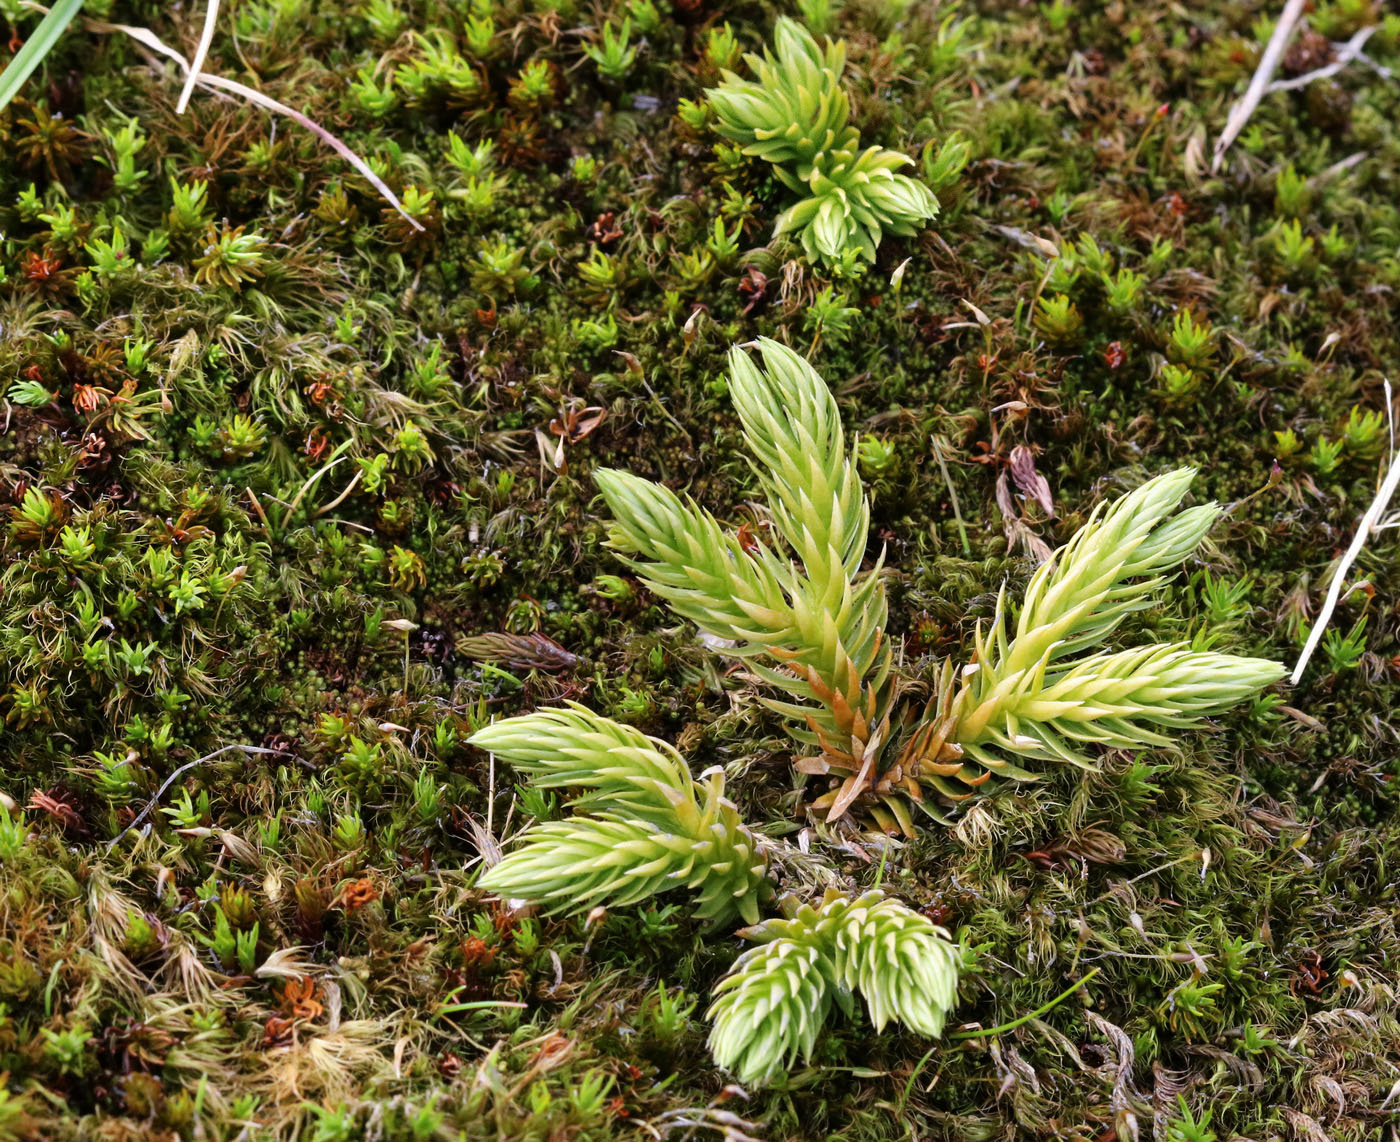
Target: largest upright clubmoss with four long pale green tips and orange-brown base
(810, 621)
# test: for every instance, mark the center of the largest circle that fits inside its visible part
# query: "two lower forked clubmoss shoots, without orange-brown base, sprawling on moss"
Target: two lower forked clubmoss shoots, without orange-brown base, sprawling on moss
(649, 828)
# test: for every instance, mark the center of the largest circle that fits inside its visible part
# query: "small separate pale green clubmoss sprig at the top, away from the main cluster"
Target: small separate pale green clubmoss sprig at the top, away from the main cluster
(794, 115)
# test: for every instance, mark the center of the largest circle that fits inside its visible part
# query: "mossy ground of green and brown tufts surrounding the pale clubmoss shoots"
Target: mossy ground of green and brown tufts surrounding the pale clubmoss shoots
(299, 496)
